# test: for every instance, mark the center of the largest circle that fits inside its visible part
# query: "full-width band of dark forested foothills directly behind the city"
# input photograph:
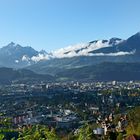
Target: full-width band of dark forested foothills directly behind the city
(107, 71)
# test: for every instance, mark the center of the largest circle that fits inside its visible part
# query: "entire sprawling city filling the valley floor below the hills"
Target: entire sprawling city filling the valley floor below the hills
(68, 107)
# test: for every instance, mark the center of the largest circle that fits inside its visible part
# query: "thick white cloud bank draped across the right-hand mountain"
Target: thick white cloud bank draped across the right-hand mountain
(86, 49)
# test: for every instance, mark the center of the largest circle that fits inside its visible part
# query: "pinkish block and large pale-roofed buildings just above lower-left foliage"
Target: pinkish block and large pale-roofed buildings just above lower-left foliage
(59, 118)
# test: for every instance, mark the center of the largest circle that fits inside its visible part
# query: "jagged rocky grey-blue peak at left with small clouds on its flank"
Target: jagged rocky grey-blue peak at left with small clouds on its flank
(15, 56)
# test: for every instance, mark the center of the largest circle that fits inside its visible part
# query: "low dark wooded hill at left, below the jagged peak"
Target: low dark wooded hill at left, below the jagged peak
(7, 75)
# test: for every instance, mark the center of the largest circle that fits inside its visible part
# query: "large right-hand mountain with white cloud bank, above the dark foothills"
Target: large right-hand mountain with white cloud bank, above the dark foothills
(92, 53)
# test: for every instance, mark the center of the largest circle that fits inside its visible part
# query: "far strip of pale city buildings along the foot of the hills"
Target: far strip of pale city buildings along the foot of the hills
(73, 86)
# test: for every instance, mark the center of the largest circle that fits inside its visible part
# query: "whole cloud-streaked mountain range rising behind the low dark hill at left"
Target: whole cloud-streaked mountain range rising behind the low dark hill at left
(79, 60)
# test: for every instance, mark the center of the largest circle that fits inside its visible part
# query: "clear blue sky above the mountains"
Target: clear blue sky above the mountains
(54, 24)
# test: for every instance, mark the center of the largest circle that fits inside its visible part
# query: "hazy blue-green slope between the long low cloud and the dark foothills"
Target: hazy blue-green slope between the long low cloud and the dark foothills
(58, 65)
